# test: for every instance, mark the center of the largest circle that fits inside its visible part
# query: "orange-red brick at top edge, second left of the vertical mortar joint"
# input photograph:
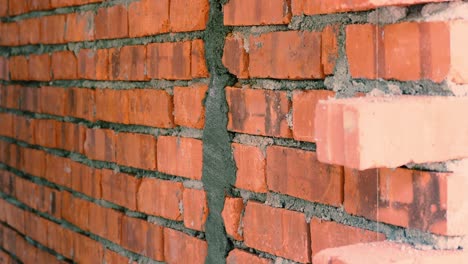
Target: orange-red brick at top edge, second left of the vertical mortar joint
(148, 17)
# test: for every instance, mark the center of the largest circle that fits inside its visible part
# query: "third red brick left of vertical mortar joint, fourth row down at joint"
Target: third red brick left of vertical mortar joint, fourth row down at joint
(100, 144)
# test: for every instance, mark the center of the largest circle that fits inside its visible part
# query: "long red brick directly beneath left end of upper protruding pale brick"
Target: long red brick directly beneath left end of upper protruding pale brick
(298, 173)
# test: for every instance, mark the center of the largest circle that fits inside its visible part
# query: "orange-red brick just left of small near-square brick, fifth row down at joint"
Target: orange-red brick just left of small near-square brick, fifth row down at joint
(161, 198)
